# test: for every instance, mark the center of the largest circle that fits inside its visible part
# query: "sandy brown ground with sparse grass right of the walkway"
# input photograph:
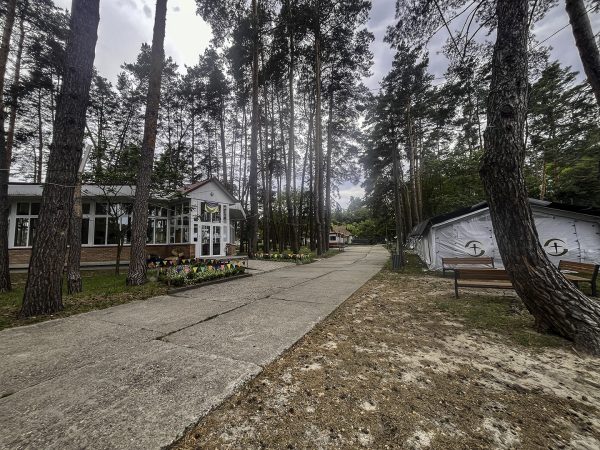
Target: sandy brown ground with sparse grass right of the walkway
(402, 364)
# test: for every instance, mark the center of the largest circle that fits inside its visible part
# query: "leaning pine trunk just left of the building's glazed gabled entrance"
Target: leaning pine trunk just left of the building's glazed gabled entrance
(137, 260)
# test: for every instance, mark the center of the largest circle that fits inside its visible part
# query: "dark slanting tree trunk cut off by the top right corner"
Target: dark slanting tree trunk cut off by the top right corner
(586, 43)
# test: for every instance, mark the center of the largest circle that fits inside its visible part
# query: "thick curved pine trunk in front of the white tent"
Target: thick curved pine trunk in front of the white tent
(555, 303)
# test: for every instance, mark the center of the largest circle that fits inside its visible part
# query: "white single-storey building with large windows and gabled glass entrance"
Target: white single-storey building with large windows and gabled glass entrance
(197, 223)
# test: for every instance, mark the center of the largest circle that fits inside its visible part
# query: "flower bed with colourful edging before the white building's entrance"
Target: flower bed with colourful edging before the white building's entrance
(196, 272)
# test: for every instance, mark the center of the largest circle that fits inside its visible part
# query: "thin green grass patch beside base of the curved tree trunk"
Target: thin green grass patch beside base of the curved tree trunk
(503, 315)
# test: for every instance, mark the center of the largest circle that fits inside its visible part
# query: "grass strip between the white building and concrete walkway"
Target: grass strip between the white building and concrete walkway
(101, 289)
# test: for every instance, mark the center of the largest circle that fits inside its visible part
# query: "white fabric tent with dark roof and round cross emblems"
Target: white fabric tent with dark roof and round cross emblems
(565, 231)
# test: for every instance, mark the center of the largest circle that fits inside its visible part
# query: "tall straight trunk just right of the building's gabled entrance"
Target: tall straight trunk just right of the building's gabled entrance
(253, 175)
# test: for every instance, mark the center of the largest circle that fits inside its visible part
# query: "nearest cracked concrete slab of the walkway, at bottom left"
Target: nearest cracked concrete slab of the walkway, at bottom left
(139, 400)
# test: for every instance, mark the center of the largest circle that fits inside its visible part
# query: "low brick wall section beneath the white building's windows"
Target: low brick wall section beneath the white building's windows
(19, 257)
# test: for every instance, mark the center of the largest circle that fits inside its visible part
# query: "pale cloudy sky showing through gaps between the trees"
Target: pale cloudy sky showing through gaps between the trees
(126, 24)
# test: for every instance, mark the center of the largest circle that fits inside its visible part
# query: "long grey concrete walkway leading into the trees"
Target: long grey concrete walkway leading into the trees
(136, 375)
